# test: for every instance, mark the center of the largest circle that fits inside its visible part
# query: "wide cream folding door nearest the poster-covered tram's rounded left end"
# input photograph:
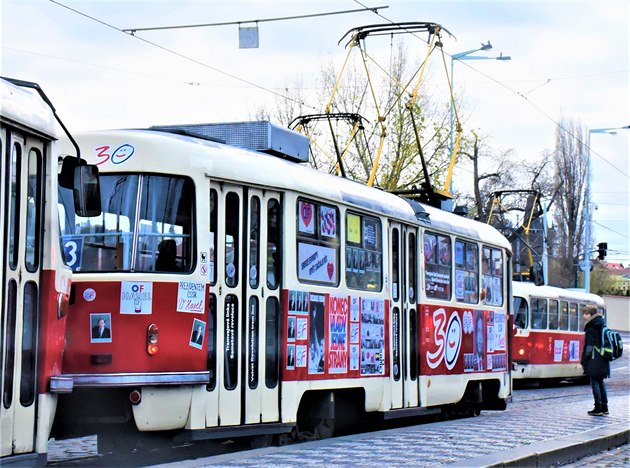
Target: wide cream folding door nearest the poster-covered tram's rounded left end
(246, 300)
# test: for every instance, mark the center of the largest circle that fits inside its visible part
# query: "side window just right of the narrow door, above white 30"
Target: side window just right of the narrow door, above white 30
(437, 266)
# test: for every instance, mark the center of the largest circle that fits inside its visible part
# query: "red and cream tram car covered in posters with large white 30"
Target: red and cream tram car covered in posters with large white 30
(226, 291)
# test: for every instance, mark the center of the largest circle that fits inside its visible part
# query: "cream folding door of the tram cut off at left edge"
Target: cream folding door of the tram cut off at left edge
(21, 192)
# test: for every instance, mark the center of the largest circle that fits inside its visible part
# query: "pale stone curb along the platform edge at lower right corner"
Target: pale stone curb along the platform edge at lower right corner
(557, 451)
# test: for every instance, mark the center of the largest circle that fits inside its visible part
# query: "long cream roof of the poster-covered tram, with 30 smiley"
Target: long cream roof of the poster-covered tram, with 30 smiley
(232, 164)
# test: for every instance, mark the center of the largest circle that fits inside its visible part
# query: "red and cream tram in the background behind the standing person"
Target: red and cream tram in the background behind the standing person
(548, 331)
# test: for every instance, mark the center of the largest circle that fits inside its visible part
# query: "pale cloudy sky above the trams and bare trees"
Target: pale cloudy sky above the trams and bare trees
(569, 59)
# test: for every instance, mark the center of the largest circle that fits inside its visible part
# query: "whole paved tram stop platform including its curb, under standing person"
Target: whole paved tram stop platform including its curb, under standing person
(545, 430)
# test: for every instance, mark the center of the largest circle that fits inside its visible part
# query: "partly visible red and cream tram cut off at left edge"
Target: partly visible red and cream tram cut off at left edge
(35, 281)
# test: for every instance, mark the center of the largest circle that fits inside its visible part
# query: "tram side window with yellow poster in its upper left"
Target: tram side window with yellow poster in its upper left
(363, 252)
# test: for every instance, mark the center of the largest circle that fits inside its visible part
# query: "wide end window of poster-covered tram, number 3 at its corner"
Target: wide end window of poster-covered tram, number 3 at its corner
(146, 226)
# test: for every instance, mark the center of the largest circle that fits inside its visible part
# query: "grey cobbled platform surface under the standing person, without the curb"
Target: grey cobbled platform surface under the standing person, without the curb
(446, 442)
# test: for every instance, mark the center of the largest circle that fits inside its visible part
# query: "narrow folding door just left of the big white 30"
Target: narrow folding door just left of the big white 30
(403, 322)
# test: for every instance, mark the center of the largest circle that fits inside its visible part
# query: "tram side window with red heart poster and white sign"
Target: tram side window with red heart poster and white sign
(317, 243)
